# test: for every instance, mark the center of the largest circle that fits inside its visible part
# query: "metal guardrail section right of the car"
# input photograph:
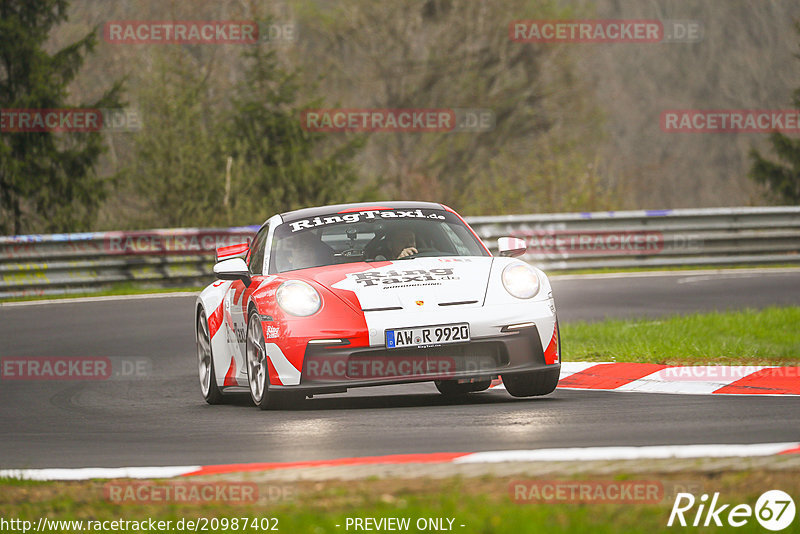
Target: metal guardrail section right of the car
(652, 238)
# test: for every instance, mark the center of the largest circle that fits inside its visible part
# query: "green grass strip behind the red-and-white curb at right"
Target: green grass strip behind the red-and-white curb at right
(770, 336)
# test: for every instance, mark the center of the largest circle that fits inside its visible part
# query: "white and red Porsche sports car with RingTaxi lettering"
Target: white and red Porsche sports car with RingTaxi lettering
(329, 298)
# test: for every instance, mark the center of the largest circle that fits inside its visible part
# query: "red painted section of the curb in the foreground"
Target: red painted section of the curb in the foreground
(436, 457)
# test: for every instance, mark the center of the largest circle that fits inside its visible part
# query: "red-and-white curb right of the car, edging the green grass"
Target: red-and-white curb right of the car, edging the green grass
(691, 380)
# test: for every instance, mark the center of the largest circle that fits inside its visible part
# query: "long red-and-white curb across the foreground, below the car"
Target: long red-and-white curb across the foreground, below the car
(537, 455)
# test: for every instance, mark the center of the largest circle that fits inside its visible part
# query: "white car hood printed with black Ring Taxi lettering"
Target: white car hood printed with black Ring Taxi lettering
(419, 283)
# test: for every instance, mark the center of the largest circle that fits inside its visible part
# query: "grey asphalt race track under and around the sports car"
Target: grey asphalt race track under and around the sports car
(161, 419)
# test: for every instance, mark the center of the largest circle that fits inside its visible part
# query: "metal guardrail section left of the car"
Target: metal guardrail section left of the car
(53, 264)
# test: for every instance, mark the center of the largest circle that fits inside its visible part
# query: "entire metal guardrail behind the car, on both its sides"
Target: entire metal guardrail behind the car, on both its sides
(78, 263)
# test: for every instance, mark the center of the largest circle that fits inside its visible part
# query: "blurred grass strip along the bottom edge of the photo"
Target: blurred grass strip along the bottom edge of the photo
(483, 505)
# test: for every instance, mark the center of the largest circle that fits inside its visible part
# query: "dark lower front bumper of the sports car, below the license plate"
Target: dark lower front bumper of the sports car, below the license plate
(337, 368)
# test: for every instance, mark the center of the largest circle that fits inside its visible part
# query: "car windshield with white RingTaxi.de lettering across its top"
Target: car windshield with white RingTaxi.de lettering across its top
(370, 235)
